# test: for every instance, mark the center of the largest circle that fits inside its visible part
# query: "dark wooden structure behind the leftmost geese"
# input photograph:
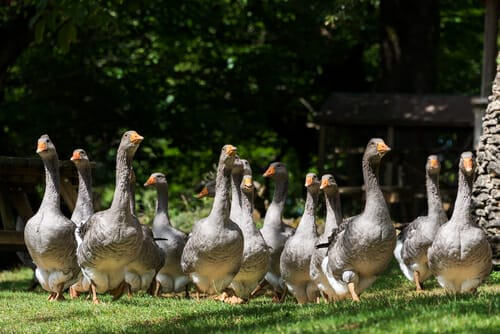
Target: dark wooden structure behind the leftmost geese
(19, 179)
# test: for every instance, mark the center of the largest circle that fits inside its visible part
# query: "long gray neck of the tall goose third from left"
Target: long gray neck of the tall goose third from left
(121, 197)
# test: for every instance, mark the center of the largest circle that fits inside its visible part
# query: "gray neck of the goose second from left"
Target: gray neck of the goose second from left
(84, 206)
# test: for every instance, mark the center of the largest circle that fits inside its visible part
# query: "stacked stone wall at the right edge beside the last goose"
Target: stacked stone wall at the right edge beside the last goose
(486, 192)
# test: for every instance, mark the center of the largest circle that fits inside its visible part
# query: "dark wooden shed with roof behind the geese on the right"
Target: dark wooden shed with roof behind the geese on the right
(414, 126)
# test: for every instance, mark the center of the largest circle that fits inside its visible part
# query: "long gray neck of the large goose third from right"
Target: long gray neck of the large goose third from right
(375, 205)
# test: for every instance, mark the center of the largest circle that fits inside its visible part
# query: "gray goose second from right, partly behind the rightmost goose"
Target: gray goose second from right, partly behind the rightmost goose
(414, 241)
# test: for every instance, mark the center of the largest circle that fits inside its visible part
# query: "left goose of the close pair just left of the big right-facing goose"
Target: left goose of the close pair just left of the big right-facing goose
(295, 259)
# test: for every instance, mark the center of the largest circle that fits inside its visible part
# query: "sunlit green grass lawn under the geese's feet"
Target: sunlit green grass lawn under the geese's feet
(390, 306)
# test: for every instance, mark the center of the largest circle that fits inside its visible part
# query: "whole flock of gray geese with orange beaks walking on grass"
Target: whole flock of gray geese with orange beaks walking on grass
(226, 256)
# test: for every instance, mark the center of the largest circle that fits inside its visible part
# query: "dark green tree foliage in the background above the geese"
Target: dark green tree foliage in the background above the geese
(192, 76)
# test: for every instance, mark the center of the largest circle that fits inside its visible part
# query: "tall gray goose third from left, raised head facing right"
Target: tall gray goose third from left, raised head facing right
(112, 238)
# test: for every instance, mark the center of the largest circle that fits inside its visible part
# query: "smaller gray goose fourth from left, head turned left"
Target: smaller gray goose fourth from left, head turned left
(170, 278)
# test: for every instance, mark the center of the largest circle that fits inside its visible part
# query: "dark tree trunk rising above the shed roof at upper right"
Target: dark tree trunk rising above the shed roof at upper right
(409, 38)
